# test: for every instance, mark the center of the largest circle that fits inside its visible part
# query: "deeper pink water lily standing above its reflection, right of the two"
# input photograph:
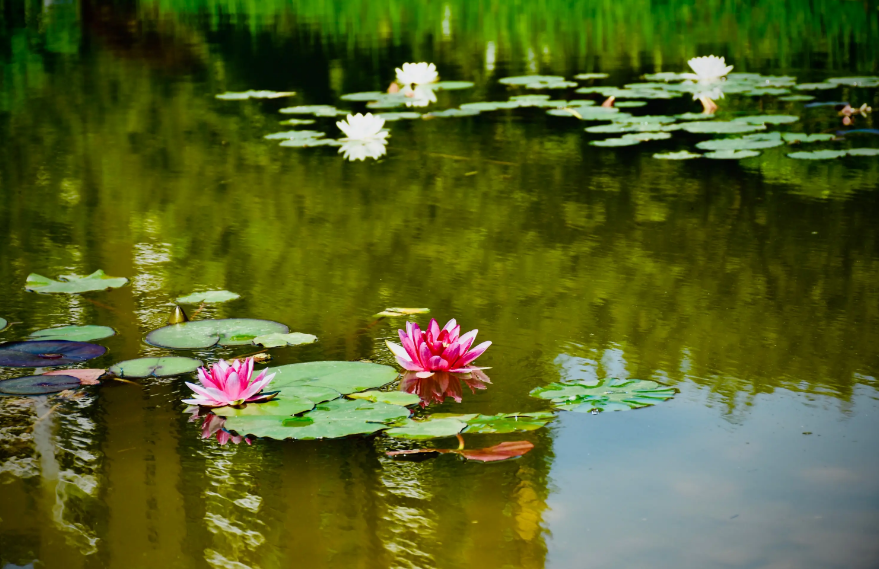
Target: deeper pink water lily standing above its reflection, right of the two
(437, 350)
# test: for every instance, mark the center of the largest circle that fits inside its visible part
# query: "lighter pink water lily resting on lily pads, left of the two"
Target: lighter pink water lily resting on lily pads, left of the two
(230, 384)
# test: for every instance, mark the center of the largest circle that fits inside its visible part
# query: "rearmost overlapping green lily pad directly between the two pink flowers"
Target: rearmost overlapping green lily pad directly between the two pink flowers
(344, 377)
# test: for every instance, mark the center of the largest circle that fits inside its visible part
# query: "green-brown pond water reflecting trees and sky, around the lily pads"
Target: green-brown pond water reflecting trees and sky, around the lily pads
(751, 286)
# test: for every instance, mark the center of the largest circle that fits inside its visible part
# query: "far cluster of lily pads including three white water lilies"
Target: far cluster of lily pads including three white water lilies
(417, 84)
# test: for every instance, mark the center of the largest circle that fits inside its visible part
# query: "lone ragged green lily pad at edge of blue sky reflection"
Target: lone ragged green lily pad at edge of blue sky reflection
(604, 395)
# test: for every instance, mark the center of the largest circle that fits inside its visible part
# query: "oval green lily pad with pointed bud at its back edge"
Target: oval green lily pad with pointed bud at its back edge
(206, 333)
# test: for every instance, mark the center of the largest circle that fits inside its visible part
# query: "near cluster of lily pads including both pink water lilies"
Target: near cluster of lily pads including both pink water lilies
(314, 400)
